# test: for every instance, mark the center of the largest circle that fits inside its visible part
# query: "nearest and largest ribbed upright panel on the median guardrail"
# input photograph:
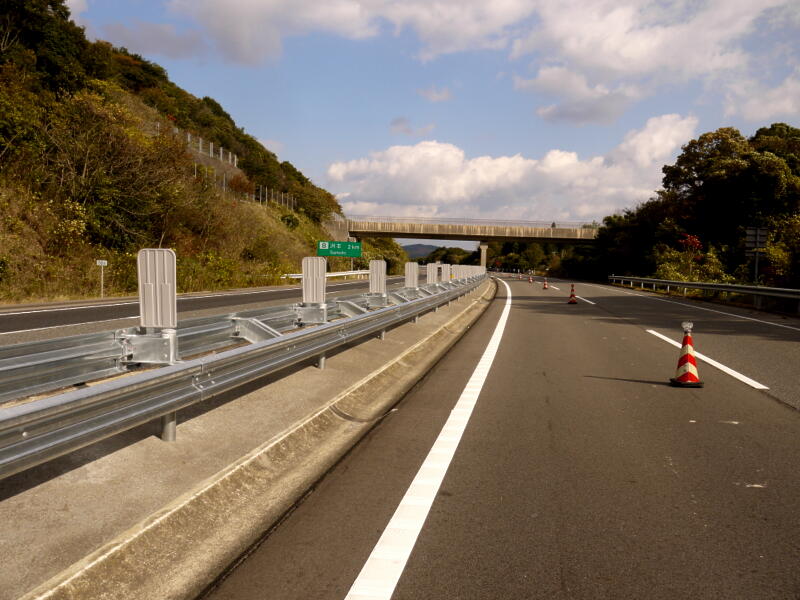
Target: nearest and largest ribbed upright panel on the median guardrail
(158, 302)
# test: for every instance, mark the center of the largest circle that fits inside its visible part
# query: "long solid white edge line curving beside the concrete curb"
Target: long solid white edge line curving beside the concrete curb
(385, 565)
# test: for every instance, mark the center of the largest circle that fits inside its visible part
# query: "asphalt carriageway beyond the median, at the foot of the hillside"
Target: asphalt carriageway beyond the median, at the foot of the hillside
(36, 318)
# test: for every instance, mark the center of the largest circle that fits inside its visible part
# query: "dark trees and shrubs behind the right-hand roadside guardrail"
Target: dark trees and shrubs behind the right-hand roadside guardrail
(694, 228)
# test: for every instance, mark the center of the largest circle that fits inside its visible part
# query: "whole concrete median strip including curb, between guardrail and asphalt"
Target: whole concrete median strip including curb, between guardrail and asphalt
(135, 517)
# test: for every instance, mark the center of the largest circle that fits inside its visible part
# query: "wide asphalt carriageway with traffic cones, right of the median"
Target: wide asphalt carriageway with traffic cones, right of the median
(546, 457)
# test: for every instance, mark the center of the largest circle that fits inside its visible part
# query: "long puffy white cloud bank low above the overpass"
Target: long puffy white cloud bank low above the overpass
(435, 178)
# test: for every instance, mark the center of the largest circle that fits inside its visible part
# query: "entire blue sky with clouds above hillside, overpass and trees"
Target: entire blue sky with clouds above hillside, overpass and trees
(511, 109)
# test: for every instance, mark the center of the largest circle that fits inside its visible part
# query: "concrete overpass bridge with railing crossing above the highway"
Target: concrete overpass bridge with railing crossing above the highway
(483, 231)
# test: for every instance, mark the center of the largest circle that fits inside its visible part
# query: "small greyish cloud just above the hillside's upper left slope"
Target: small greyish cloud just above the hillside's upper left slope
(156, 38)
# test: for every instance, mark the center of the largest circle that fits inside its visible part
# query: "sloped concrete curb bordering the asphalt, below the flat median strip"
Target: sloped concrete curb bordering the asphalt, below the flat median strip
(179, 551)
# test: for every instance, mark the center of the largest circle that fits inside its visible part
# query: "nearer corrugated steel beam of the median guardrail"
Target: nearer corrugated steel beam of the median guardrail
(39, 430)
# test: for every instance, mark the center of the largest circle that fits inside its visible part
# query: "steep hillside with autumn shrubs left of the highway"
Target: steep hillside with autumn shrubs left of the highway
(97, 160)
